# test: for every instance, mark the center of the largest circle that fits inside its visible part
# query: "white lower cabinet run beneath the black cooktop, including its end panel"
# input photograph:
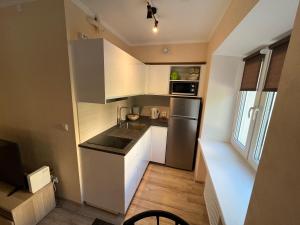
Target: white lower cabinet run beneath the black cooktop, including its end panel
(109, 180)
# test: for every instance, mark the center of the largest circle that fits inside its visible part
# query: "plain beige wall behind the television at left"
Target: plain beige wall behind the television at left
(35, 91)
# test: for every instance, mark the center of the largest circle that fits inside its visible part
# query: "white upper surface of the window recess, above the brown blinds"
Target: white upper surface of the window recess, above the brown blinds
(267, 22)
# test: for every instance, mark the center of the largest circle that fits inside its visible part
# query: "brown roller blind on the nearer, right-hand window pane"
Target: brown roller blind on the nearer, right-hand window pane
(279, 50)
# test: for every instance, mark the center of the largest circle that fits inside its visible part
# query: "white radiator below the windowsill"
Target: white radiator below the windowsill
(211, 202)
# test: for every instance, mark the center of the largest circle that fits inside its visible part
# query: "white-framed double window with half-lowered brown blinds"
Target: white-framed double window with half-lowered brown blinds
(256, 100)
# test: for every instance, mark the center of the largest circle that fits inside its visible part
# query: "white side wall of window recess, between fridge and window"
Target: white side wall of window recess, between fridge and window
(223, 84)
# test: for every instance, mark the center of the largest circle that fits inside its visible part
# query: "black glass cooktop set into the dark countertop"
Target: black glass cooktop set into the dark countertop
(110, 141)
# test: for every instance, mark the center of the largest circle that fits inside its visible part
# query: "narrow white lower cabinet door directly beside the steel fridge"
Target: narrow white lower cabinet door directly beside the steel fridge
(158, 144)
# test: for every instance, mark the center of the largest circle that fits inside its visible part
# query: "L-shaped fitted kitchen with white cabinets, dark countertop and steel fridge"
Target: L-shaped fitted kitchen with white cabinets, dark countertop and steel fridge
(167, 137)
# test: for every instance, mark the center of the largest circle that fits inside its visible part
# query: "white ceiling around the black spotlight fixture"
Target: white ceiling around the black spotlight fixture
(180, 21)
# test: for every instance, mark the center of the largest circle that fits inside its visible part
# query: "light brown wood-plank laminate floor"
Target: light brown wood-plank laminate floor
(161, 188)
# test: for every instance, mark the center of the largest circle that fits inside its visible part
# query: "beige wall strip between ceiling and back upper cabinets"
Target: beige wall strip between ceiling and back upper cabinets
(193, 52)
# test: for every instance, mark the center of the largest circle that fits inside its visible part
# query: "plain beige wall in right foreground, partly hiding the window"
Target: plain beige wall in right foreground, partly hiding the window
(276, 194)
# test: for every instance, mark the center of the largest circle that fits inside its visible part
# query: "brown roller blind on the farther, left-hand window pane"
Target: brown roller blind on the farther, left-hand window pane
(251, 72)
